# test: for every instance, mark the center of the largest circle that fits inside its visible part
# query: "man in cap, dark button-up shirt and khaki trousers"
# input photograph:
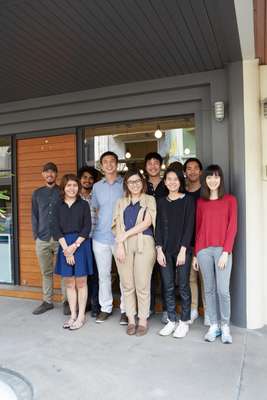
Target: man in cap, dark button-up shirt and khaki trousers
(44, 201)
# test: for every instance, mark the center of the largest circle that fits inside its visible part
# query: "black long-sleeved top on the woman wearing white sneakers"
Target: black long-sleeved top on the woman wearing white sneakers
(175, 223)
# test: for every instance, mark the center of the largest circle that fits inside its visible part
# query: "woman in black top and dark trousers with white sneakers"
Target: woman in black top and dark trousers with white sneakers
(174, 231)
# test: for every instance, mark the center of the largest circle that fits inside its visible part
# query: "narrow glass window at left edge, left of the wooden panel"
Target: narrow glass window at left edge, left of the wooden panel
(5, 210)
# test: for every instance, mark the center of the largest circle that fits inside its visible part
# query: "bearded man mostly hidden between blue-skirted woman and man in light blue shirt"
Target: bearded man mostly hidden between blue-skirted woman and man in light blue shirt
(88, 176)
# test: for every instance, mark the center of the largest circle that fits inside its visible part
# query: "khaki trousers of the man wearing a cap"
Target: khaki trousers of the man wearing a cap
(46, 252)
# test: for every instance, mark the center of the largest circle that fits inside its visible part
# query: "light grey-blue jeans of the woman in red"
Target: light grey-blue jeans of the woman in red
(216, 284)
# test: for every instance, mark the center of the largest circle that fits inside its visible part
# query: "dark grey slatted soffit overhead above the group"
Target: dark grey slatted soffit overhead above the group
(50, 47)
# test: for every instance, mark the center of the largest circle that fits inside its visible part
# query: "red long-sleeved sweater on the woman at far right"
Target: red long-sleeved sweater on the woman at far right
(216, 223)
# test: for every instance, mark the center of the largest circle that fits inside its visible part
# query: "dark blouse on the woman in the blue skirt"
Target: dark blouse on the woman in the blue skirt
(73, 219)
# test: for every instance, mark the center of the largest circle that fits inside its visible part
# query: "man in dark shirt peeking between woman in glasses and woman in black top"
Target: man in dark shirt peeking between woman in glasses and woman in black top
(156, 188)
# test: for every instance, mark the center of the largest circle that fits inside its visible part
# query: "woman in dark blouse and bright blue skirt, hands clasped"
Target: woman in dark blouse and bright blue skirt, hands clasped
(74, 259)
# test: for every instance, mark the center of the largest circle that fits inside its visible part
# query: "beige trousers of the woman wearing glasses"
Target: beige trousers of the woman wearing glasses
(135, 276)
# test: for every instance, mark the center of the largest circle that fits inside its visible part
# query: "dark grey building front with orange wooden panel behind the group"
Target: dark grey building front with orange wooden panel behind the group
(84, 71)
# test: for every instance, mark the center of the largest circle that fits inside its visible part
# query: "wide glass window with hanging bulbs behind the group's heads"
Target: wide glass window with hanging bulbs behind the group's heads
(131, 141)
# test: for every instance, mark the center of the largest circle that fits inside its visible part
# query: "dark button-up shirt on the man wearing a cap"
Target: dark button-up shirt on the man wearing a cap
(44, 202)
